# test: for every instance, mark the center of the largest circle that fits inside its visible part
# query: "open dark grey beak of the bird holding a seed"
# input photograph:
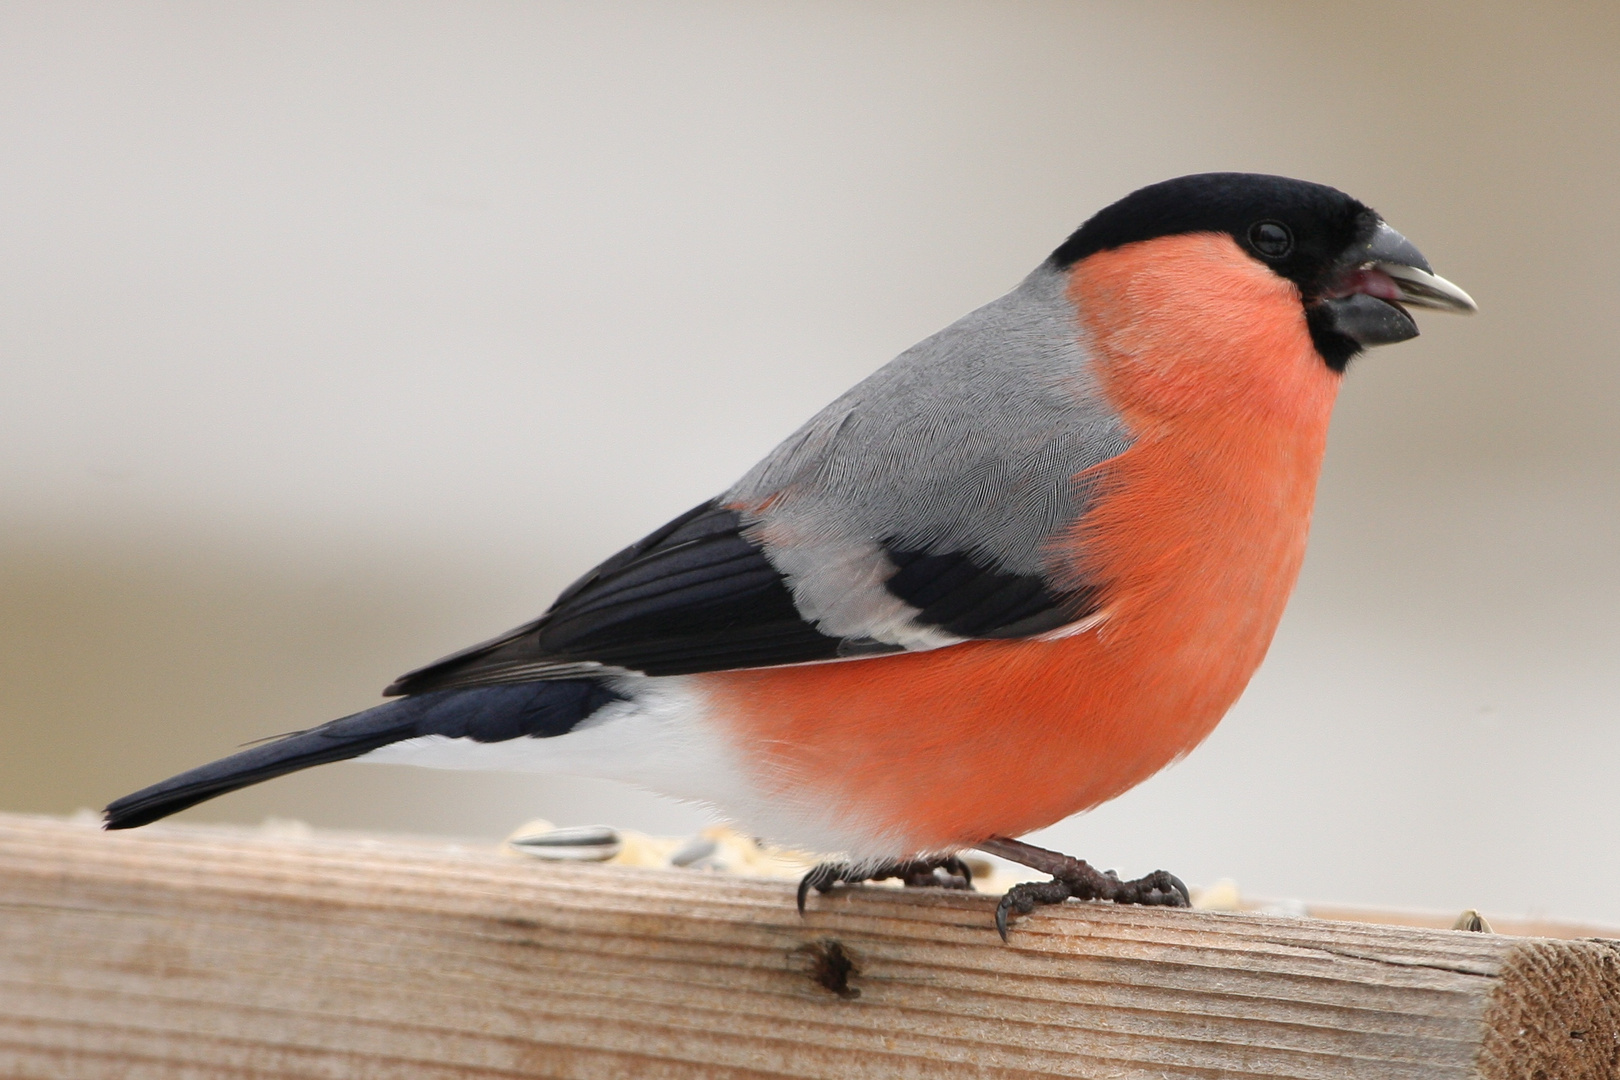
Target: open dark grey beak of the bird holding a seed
(1379, 281)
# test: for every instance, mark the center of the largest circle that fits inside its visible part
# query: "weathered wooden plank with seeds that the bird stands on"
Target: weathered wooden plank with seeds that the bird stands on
(213, 953)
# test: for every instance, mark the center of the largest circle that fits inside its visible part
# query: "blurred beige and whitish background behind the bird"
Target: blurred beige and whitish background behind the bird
(341, 336)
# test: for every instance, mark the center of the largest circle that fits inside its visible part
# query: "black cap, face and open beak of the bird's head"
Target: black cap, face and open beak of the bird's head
(1355, 274)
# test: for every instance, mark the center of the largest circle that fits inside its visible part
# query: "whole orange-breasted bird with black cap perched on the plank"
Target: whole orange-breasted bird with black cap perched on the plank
(1044, 550)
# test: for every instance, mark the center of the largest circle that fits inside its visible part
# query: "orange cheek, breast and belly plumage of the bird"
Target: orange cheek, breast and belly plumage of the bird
(1198, 534)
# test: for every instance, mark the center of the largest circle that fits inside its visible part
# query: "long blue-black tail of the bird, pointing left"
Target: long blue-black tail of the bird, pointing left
(488, 715)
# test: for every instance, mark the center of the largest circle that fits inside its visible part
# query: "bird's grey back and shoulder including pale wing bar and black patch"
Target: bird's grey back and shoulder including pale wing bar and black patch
(919, 508)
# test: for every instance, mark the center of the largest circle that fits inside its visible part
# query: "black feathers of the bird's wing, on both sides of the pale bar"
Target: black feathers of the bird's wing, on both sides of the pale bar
(701, 597)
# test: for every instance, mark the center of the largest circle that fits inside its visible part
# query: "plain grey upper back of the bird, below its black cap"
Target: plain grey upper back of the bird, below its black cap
(966, 443)
